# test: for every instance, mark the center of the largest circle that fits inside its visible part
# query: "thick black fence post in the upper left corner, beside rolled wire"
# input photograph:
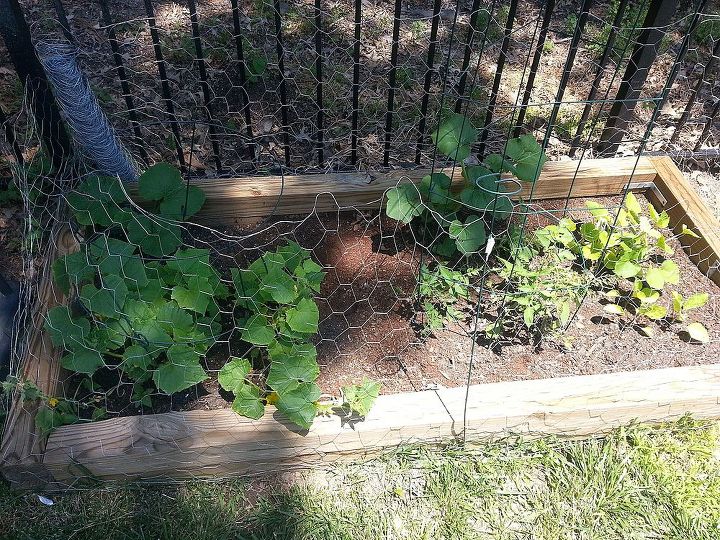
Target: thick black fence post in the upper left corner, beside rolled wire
(16, 34)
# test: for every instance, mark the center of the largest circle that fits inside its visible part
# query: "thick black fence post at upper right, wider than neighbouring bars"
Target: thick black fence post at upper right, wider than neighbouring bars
(658, 17)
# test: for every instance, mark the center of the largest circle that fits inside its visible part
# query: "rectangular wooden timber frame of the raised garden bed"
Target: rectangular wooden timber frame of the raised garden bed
(219, 442)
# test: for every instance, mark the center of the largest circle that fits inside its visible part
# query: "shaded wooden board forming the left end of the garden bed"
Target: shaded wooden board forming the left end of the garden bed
(21, 449)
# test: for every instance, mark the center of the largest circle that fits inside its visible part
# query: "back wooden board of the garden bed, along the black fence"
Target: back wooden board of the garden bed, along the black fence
(250, 198)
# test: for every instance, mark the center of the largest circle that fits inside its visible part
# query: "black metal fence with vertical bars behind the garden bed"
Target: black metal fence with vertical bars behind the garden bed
(225, 87)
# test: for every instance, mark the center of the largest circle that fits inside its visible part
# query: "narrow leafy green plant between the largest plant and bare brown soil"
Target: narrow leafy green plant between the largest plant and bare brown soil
(275, 296)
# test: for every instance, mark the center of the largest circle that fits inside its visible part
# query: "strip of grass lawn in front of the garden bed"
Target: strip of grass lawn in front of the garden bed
(639, 483)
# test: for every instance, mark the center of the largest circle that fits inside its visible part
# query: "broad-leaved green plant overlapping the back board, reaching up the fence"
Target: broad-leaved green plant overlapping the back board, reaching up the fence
(458, 223)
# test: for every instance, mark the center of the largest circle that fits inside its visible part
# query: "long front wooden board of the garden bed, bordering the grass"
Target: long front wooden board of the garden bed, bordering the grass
(219, 442)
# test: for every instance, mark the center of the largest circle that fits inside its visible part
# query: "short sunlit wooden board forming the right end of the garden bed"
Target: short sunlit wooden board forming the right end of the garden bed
(685, 207)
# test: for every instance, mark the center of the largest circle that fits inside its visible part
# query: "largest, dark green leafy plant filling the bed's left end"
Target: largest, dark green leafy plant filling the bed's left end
(144, 305)
